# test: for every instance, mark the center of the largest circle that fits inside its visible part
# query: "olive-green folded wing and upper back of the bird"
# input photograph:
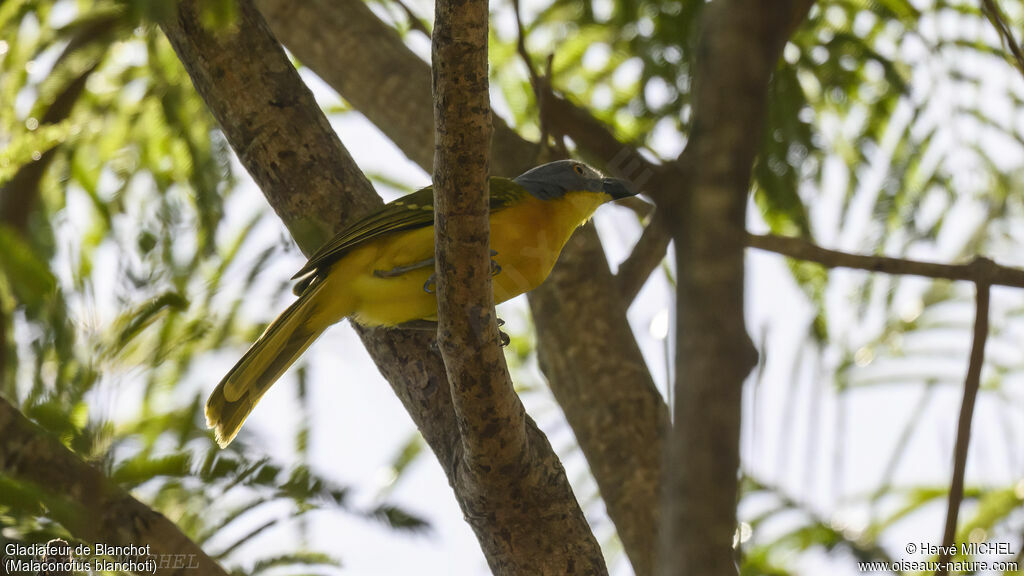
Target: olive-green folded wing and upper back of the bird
(409, 213)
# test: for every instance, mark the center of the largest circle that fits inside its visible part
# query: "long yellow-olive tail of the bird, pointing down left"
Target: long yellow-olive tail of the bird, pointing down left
(285, 340)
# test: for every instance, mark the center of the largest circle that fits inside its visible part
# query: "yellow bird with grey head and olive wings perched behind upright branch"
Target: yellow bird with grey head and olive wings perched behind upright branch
(380, 272)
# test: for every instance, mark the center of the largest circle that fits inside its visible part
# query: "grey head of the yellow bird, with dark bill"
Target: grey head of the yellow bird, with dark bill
(552, 181)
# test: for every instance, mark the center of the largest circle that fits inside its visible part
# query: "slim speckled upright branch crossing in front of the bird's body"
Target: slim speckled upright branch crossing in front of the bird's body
(490, 415)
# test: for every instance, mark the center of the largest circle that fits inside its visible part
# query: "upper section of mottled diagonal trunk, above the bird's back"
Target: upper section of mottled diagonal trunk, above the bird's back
(274, 124)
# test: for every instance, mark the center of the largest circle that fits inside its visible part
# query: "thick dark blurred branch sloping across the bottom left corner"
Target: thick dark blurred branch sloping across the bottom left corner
(95, 509)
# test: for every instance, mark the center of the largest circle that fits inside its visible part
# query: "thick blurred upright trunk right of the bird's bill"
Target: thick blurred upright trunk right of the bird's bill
(740, 47)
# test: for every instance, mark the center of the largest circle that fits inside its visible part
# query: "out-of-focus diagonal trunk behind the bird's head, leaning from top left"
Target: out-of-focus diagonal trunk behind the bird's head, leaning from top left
(367, 63)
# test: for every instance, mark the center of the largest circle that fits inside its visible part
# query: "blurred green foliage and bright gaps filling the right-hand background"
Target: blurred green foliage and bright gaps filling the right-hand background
(892, 128)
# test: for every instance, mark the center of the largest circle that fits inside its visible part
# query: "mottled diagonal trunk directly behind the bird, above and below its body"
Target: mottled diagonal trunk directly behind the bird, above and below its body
(271, 119)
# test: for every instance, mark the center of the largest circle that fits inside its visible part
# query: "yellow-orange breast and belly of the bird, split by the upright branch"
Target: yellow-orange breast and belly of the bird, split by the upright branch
(529, 237)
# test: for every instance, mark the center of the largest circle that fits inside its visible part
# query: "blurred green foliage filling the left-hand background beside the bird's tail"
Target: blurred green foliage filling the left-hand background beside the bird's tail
(119, 273)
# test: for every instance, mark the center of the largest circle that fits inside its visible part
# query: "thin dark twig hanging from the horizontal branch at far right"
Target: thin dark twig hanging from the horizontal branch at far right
(971, 386)
